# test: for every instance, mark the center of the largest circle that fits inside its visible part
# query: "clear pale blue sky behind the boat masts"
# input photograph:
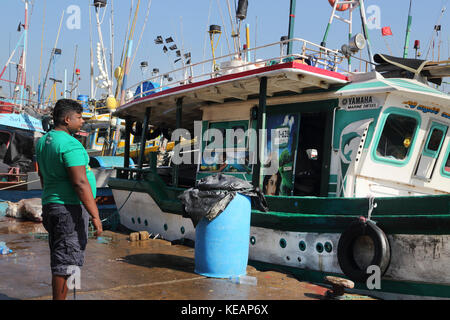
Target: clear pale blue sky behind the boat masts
(187, 23)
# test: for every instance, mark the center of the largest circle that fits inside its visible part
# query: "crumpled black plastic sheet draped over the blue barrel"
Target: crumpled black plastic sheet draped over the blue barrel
(214, 193)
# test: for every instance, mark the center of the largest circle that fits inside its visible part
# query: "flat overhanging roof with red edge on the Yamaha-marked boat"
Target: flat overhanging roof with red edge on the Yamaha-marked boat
(291, 76)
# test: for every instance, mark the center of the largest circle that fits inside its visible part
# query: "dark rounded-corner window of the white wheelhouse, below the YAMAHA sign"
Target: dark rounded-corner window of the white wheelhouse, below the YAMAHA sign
(397, 136)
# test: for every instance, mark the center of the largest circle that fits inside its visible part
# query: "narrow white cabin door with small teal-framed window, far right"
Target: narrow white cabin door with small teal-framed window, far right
(431, 150)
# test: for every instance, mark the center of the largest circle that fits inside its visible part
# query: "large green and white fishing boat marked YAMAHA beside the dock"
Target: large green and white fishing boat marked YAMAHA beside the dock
(355, 166)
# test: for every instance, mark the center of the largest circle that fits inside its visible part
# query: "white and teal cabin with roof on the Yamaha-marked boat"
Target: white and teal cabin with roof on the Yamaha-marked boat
(296, 127)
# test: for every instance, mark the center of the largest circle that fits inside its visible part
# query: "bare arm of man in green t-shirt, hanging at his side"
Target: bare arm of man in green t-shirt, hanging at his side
(82, 187)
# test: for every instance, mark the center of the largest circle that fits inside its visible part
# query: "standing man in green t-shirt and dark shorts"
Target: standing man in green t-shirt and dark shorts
(69, 190)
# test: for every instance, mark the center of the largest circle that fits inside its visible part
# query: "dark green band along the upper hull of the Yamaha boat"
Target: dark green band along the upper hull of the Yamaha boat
(395, 215)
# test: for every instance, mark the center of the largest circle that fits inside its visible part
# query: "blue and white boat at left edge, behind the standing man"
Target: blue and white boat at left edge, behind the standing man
(20, 123)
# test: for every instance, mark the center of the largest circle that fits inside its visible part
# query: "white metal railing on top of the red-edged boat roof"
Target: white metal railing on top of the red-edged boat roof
(247, 59)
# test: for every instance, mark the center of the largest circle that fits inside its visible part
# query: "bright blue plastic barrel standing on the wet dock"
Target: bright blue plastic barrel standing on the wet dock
(221, 245)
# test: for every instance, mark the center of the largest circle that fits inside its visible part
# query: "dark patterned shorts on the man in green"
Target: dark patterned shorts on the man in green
(67, 227)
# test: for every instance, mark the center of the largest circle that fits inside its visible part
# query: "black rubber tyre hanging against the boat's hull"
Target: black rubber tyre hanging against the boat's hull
(346, 258)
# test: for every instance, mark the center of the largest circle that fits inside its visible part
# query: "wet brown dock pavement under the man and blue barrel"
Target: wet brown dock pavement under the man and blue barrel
(118, 269)
